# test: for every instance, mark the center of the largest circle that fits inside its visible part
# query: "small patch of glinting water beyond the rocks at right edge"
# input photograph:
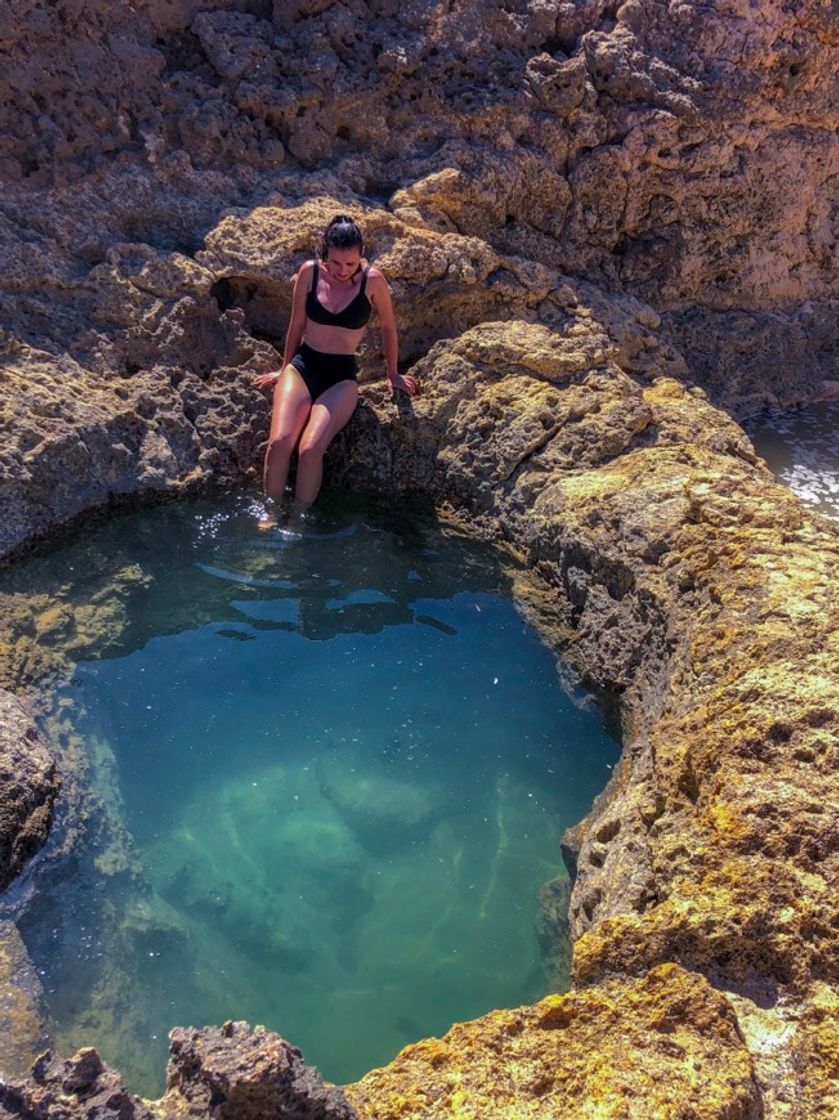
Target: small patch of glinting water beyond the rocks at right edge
(801, 449)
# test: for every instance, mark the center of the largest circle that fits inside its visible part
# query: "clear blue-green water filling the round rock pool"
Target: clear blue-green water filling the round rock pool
(343, 762)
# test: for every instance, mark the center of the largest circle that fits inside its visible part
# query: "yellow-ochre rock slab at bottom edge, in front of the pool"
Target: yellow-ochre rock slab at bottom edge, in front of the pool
(659, 1048)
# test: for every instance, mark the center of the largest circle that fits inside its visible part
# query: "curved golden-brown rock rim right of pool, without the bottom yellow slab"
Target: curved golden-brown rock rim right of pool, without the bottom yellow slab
(703, 592)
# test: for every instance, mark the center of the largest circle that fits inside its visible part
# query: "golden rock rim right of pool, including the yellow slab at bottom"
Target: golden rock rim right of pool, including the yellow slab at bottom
(686, 581)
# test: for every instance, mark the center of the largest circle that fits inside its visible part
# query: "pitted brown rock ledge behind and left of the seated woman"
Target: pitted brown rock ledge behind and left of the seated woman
(154, 413)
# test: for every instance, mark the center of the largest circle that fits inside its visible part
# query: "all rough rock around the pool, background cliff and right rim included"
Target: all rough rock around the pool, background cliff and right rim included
(586, 212)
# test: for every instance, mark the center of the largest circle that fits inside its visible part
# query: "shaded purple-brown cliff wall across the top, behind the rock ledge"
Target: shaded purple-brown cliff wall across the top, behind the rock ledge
(685, 154)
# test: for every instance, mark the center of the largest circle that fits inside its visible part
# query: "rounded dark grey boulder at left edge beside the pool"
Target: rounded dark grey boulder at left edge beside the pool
(30, 785)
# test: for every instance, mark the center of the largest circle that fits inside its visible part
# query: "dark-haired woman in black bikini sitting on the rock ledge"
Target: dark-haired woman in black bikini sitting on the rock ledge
(316, 391)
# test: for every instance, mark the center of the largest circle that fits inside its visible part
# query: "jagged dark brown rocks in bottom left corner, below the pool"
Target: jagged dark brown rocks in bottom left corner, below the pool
(229, 1074)
